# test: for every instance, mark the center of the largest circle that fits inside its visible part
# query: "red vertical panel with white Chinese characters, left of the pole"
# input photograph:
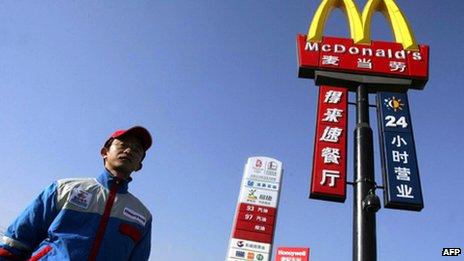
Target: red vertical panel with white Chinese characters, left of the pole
(328, 180)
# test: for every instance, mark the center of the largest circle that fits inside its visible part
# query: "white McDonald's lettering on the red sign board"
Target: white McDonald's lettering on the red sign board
(363, 51)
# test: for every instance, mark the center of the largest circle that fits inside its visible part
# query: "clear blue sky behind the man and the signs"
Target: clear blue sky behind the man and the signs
(215, 82)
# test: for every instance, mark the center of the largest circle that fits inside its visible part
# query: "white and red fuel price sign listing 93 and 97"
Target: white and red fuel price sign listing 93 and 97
(252, 234)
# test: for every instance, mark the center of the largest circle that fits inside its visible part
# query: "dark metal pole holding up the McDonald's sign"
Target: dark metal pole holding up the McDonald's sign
(366, 203)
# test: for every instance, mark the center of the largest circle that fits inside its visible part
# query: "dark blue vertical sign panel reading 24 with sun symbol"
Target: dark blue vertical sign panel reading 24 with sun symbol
(399, 161)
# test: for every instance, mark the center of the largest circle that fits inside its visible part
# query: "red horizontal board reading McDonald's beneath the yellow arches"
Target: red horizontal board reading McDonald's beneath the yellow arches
(378, 58)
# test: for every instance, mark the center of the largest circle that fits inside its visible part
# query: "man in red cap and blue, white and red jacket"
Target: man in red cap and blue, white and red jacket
(85, 218)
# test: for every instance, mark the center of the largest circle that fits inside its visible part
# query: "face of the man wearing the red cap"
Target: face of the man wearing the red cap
(123, 156)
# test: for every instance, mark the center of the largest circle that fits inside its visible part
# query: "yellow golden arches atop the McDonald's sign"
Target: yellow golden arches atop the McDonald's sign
(360, 28)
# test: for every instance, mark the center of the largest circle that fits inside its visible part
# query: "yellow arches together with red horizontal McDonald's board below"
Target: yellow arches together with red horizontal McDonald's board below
(404, 62)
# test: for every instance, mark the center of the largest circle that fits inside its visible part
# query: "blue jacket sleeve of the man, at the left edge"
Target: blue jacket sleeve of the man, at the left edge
(30, 227)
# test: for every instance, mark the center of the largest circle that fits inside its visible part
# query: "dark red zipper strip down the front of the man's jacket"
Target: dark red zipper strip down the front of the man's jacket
(104, 220)
